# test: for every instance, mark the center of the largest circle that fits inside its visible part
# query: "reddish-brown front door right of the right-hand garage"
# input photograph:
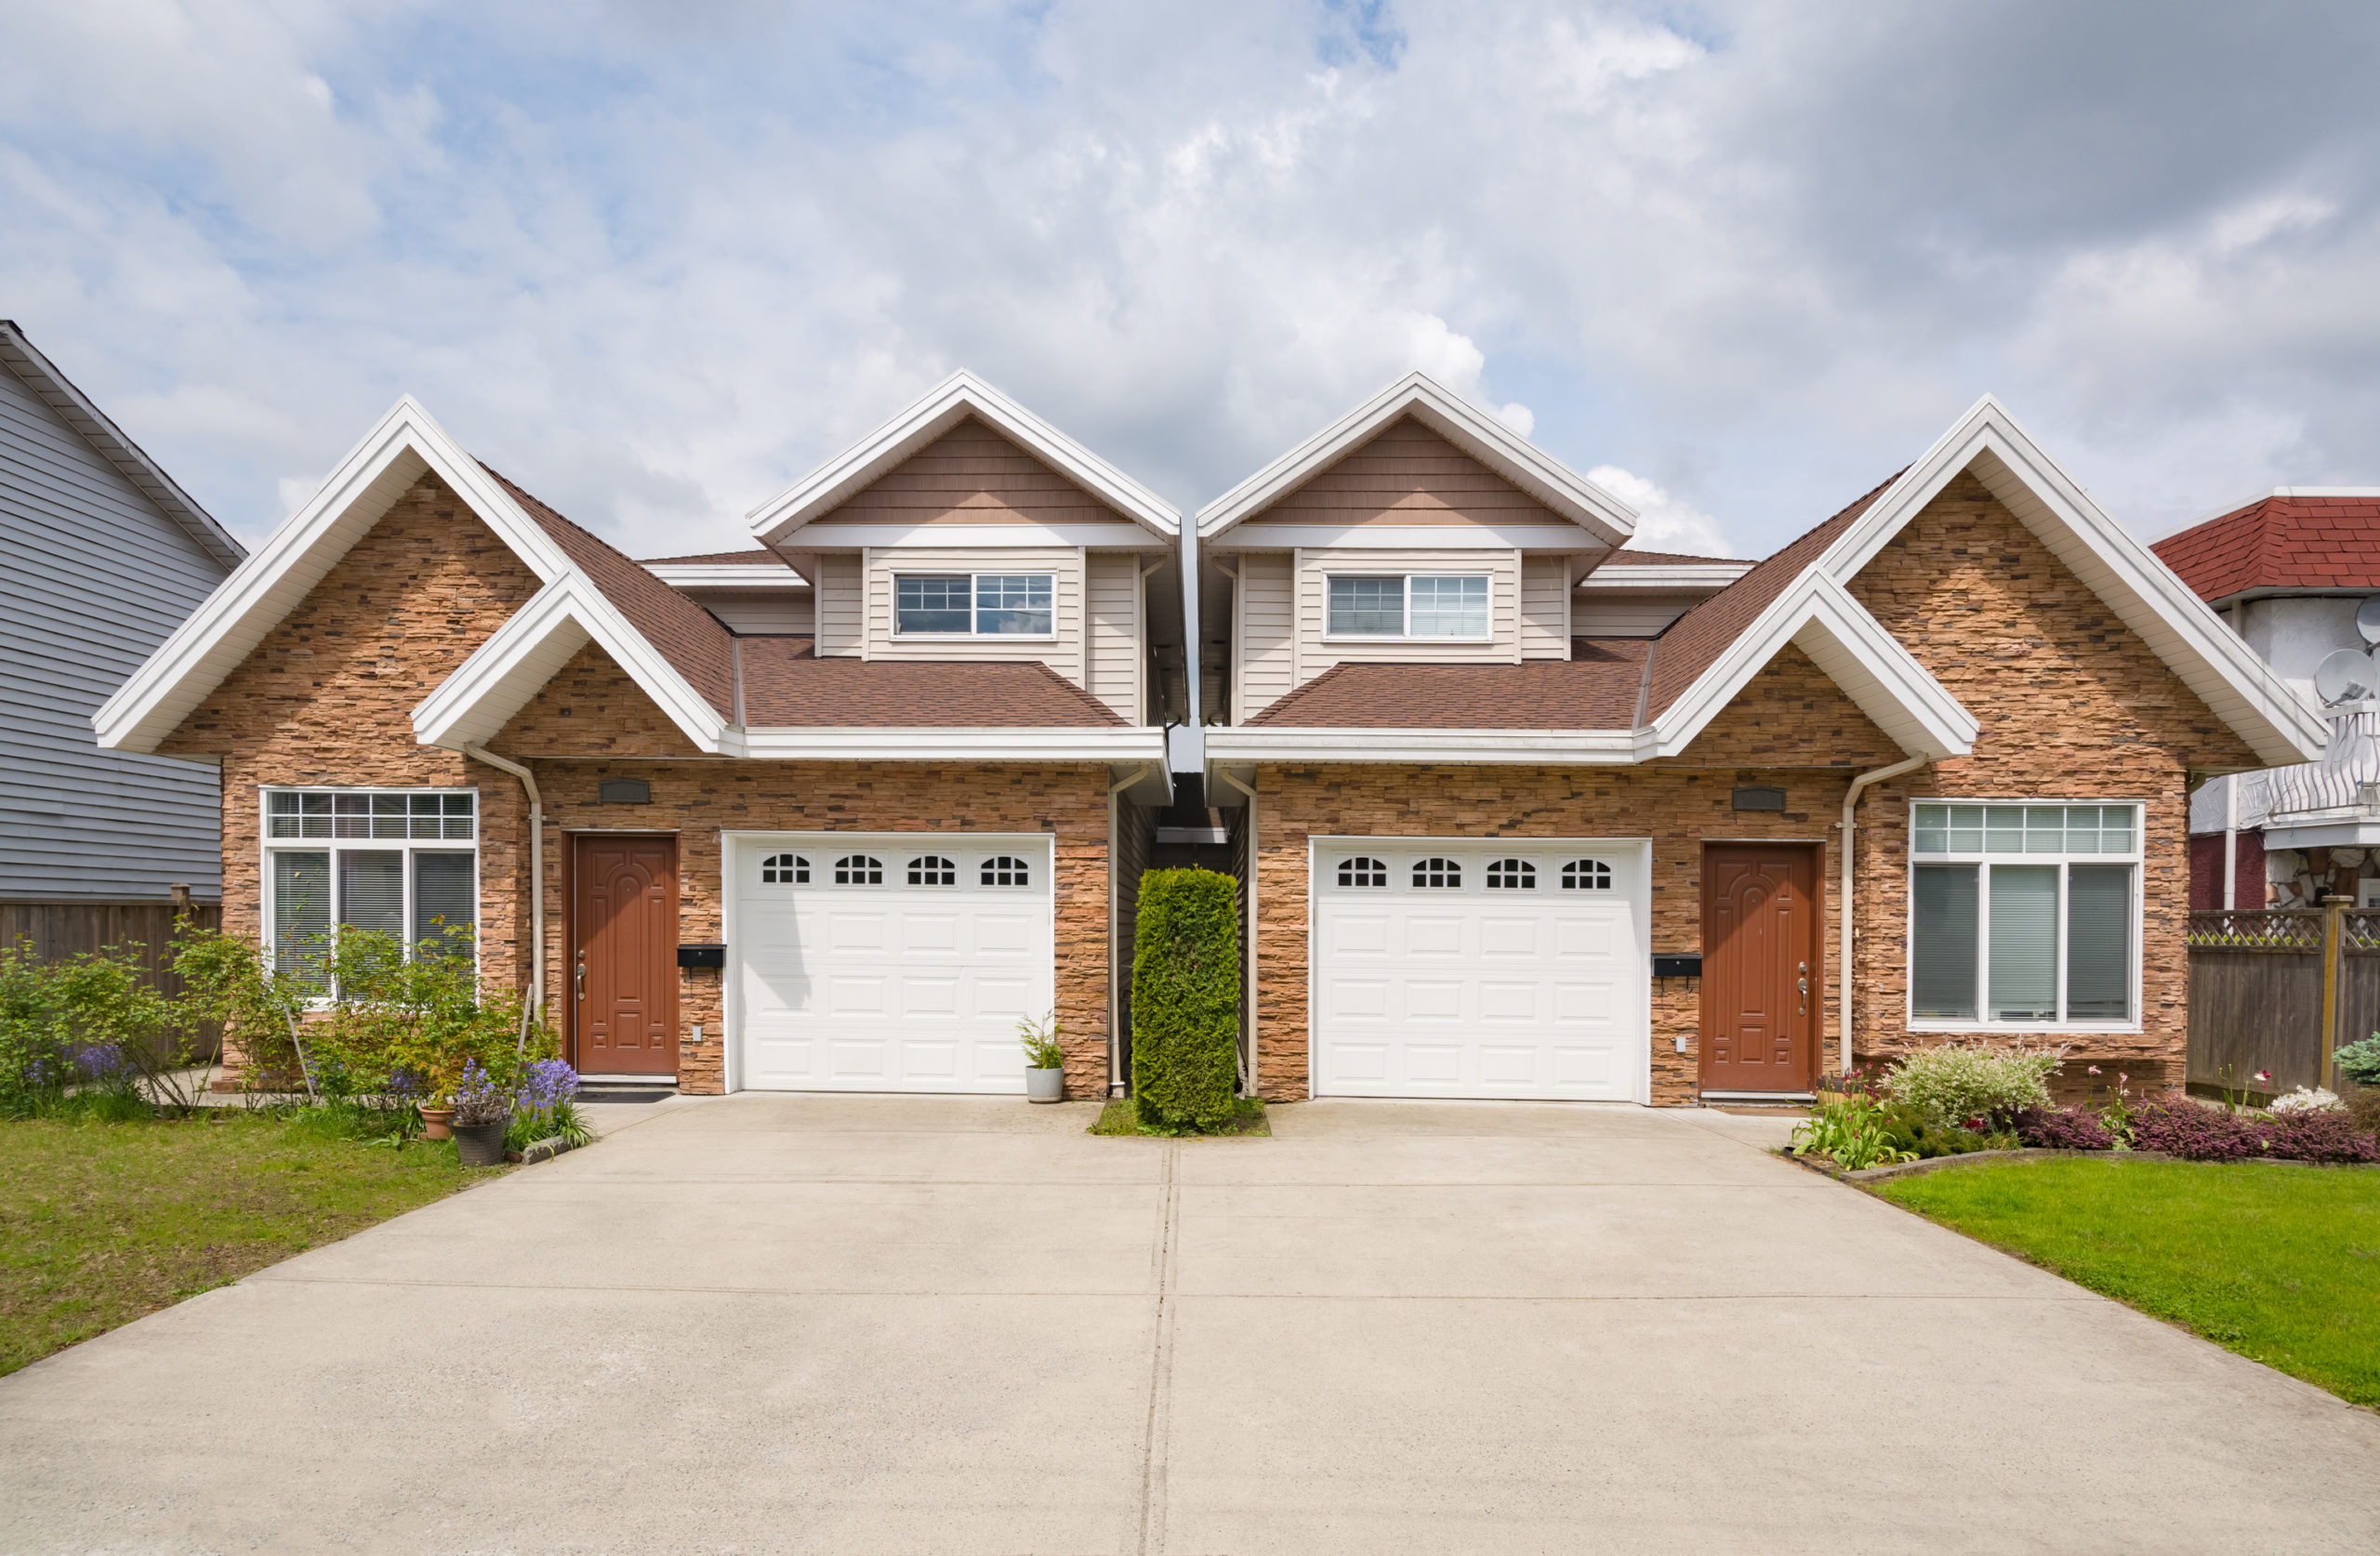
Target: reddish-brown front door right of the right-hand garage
(1760, 967)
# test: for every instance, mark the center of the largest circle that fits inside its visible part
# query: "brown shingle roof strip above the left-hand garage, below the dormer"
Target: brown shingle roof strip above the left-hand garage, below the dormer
(787, 686)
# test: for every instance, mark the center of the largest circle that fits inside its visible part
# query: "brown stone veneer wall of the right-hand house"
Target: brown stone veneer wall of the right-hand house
(2072, 708)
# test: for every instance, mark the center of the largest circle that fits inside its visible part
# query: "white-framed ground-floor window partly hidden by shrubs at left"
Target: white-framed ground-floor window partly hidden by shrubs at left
(401, 862)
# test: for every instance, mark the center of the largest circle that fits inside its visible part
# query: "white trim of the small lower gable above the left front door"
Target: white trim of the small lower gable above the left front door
(499, 679)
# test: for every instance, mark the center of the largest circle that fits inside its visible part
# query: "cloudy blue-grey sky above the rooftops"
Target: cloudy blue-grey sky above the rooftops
(1739, 261)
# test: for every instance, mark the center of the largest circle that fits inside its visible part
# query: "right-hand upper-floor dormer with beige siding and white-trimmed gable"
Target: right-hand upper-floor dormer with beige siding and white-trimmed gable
(1413, 532)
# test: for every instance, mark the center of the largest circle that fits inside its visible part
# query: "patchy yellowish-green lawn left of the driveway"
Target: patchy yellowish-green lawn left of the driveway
(108, 1222)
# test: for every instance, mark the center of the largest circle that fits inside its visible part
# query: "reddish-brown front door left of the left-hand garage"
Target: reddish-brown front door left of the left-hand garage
(625, 955)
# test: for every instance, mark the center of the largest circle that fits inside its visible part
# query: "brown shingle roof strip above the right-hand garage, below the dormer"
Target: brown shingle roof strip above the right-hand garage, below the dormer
(1591, 691)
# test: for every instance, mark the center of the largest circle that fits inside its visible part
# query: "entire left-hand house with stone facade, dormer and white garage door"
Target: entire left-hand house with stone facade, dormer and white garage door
(827, 815)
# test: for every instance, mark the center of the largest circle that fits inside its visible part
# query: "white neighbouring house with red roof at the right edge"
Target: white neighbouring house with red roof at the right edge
(2291, 570)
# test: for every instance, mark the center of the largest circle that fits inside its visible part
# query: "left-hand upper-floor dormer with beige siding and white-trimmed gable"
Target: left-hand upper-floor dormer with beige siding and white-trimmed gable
(967, 529)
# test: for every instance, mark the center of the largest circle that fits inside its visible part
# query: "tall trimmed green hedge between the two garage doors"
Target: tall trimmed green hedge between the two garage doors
(1186, 1000)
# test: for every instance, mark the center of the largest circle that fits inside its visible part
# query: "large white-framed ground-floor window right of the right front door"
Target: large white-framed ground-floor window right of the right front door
(2024, 915)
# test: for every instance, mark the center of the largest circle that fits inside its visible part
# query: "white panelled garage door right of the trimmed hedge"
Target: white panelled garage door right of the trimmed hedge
(1453, 967)
